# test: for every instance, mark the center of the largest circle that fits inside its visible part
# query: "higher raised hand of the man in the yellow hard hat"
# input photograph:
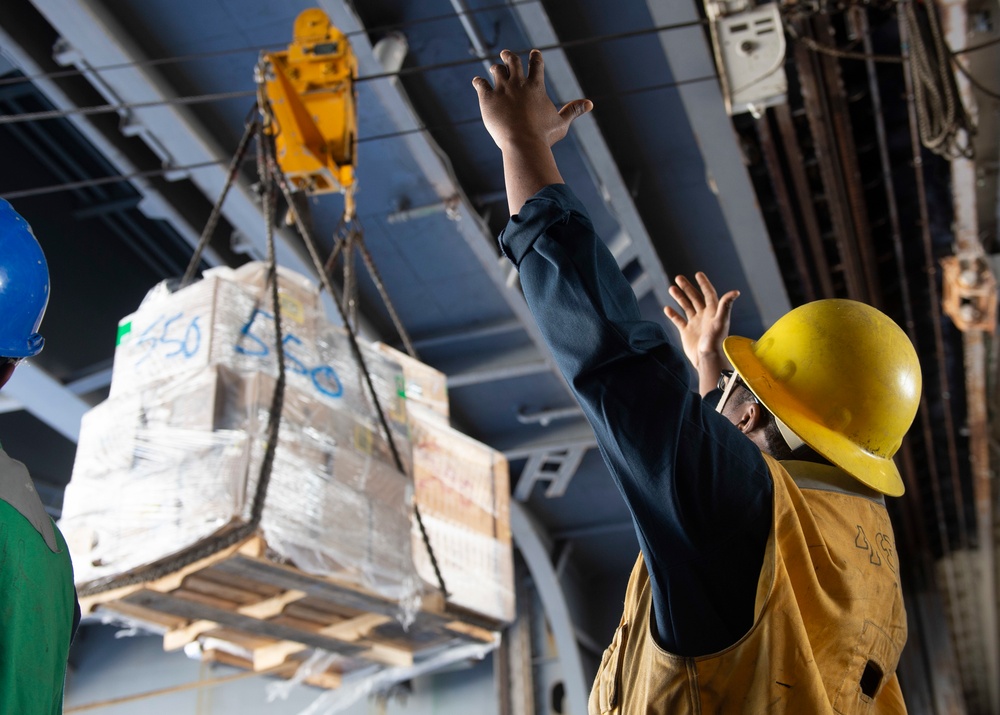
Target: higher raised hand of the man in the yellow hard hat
(517, 111)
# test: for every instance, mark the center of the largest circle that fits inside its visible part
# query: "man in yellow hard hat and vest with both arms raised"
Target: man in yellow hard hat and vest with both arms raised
(767, 579)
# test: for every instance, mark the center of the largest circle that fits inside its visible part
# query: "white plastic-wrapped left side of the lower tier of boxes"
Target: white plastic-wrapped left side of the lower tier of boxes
(151, 476)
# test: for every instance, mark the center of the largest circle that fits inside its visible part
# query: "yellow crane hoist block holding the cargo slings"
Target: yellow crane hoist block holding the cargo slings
(313, 115)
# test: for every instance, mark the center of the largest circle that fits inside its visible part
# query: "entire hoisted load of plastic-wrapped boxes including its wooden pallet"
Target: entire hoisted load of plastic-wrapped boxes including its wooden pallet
(337, 564)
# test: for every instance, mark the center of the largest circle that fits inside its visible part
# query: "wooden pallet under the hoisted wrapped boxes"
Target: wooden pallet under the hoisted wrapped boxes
(267, 614)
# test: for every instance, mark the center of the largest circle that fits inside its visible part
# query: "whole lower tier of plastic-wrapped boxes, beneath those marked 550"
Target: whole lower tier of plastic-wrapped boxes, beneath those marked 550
(153, 476)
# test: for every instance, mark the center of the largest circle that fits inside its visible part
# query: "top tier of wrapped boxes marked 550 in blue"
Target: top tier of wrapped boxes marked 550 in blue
(222, 320)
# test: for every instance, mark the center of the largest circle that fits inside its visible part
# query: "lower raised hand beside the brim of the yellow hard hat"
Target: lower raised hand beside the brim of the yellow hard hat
(705, 323)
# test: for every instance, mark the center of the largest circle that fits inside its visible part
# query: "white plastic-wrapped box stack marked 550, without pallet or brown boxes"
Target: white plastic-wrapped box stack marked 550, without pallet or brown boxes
(174, 456)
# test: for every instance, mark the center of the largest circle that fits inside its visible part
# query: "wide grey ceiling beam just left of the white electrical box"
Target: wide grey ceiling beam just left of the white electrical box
(689, 55)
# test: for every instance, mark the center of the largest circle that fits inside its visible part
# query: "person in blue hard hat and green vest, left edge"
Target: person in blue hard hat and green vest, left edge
(39, 612)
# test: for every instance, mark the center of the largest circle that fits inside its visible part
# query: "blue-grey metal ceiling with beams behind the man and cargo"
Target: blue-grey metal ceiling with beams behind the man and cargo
(827, 195)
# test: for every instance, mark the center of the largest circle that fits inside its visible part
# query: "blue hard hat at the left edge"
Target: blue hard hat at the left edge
(24, 286)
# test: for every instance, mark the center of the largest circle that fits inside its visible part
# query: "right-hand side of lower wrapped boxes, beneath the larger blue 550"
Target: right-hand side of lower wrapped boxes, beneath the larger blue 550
(335, 504)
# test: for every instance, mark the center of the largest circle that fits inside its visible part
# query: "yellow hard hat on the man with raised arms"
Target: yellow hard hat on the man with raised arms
(843, 377)
